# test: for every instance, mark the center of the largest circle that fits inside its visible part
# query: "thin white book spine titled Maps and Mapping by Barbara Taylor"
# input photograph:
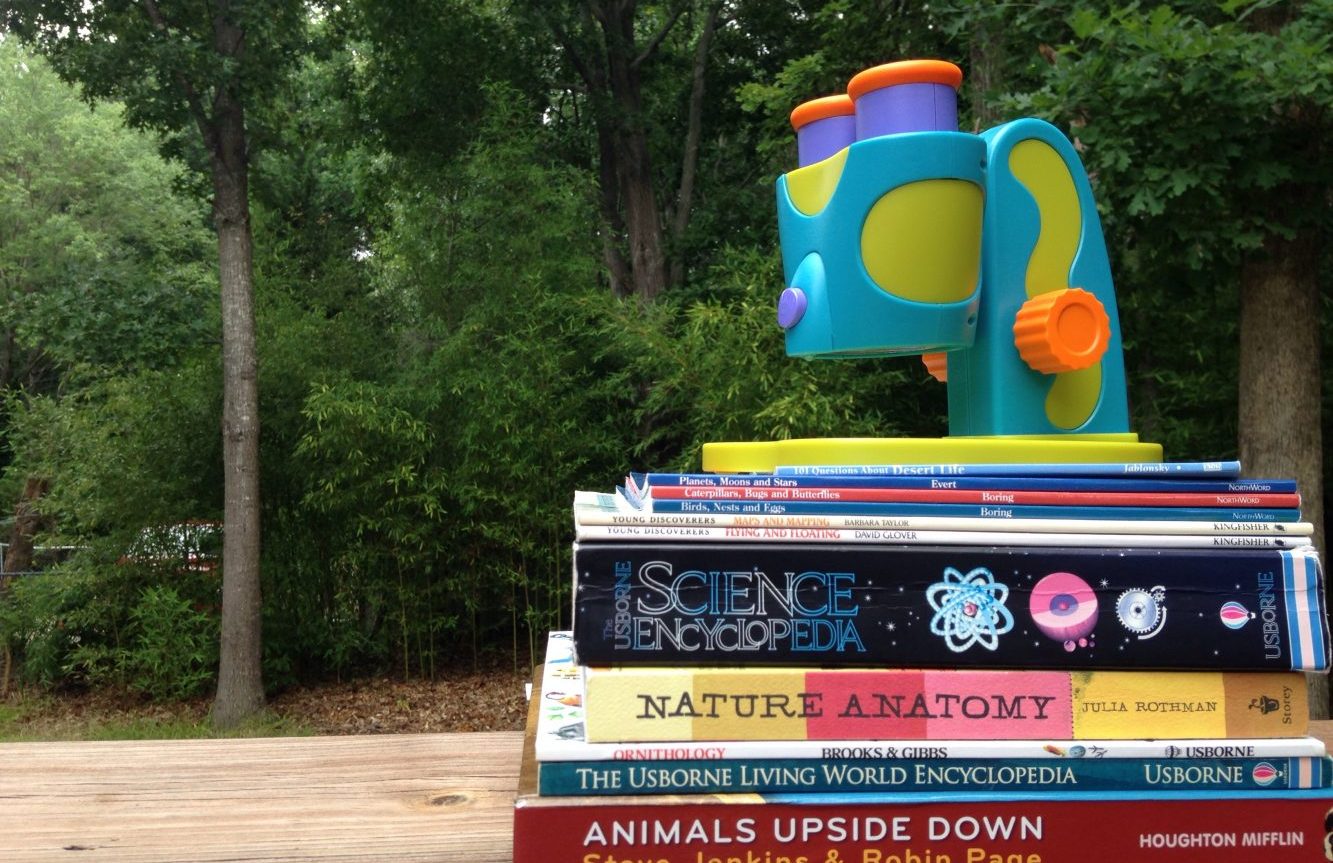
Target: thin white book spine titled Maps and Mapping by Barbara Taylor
(603, 516)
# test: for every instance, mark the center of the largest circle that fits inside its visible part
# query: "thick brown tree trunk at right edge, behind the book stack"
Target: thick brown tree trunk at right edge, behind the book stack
(1280, 425)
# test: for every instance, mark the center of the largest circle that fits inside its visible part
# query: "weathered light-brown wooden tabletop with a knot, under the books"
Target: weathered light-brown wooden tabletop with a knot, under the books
(387, 798)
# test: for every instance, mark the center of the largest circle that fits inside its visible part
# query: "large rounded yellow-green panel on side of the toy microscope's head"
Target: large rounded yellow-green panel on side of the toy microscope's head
(923, 241)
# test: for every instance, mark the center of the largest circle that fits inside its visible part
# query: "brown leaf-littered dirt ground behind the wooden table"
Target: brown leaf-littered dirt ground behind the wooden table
(491, 701)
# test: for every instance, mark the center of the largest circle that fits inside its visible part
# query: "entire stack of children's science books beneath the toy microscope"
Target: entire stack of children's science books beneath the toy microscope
(934, 664)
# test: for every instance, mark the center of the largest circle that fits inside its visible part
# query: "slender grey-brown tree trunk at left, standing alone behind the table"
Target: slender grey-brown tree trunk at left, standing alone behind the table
(241, 689)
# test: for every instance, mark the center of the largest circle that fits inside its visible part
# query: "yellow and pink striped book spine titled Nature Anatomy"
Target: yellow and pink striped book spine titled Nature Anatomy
(699, 704)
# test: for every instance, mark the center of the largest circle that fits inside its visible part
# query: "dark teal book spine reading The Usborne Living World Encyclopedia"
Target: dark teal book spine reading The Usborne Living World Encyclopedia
(843, 776)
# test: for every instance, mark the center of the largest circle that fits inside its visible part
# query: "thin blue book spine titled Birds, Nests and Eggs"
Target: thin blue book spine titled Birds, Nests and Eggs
(967, 510)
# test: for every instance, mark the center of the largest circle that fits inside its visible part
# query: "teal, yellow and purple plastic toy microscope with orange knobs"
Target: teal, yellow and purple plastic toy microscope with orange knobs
(983, 254)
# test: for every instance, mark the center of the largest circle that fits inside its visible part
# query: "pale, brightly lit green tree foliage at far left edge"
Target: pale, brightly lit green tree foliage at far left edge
(102, 262)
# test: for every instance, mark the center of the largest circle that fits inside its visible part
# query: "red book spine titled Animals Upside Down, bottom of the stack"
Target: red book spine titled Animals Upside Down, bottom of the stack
(958, 829)
